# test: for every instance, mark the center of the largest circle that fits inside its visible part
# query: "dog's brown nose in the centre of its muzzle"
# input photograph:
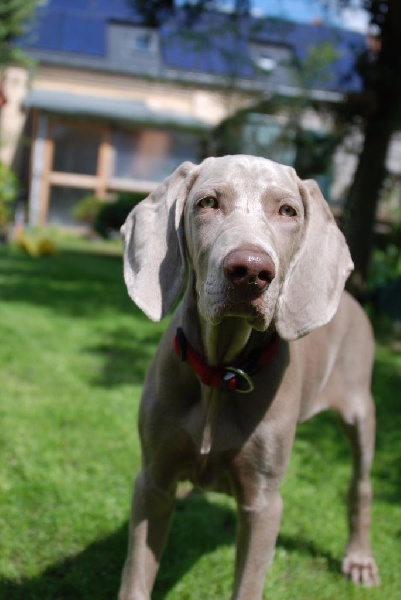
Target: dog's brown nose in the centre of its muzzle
(249, 265)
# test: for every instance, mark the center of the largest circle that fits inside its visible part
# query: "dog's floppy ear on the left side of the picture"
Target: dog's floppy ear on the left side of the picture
(154, 257)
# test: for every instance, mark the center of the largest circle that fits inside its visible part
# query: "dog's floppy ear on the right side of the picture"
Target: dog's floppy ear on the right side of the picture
(317, 273)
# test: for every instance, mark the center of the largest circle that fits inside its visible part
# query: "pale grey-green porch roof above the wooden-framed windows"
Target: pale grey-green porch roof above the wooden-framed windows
(121, 110)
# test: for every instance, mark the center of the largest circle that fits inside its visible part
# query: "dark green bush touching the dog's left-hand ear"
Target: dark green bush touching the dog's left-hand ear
(111, 215)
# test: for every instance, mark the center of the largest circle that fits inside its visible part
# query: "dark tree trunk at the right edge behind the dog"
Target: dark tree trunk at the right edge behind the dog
(381, 112)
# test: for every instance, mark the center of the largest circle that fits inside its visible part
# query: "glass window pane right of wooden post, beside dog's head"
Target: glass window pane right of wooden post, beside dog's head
(150, 154)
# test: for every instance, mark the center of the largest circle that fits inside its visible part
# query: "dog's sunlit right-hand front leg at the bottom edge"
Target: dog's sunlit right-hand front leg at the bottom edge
(258, 527)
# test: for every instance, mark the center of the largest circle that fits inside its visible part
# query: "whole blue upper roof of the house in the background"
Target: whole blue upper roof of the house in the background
(214, 46)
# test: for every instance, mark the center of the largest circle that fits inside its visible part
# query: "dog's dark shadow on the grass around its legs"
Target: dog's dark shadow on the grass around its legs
(199, 527)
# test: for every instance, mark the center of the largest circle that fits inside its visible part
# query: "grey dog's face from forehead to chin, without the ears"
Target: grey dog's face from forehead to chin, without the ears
(243, 223)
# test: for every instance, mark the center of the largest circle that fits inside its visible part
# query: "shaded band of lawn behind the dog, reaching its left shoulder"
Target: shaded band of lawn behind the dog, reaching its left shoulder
(85, 284)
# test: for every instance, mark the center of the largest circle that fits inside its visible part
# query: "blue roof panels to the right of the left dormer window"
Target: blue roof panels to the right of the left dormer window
(228, 52)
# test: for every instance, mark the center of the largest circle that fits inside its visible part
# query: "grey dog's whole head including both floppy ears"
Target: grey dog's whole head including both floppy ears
(263, 245)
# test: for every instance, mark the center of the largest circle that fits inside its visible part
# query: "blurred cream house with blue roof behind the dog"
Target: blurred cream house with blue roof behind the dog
(113, 105)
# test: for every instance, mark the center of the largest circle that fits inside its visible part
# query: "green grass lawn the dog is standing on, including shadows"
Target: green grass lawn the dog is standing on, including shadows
(73, 352)
